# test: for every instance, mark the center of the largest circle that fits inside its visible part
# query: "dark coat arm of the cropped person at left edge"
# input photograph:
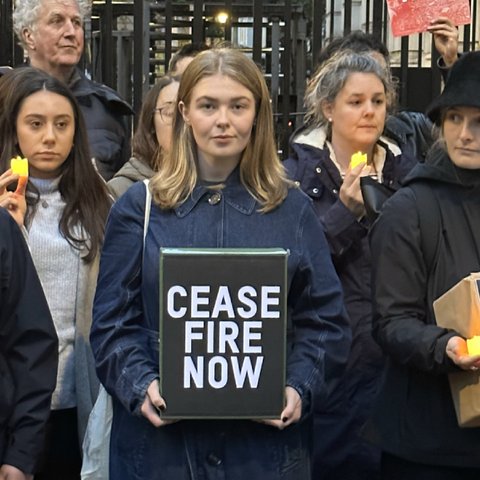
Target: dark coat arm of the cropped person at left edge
(28, 352)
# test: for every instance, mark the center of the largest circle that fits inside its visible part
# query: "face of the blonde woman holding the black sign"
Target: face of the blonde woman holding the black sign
(221, 113)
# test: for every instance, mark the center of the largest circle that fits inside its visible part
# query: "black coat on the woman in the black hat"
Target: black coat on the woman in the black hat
(415, 417)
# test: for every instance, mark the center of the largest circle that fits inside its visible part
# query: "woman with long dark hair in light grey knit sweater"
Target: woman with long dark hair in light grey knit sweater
(62, 211)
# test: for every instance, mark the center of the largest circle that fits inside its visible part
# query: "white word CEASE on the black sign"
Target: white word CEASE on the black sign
(245, 303)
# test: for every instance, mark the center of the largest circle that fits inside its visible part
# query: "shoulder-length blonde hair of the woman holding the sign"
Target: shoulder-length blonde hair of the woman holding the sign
(260, 168)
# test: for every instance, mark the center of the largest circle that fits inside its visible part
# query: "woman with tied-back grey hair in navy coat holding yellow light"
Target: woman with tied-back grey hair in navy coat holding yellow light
(347, 102)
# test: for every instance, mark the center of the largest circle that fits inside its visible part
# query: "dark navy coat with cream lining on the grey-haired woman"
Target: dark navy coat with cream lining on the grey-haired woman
(339, 450)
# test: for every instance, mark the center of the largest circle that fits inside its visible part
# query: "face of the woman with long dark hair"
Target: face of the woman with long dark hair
(45, 128)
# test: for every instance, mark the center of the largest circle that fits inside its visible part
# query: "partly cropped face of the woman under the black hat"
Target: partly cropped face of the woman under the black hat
(461, 131)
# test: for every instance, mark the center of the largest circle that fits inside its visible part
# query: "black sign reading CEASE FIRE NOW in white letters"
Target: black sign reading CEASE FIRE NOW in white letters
(223, 332)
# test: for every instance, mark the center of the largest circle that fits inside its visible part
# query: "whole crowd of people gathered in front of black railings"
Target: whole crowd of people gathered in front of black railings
(366, 384)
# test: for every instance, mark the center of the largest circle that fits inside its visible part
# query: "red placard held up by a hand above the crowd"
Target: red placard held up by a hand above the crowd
(414, 16)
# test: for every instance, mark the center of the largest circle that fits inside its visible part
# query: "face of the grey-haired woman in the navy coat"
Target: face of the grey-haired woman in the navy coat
(358, 112)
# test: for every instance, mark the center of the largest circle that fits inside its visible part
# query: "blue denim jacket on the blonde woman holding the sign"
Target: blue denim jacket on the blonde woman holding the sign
(125, 330)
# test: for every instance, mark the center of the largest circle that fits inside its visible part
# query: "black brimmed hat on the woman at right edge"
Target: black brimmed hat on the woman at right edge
(462, 88)
